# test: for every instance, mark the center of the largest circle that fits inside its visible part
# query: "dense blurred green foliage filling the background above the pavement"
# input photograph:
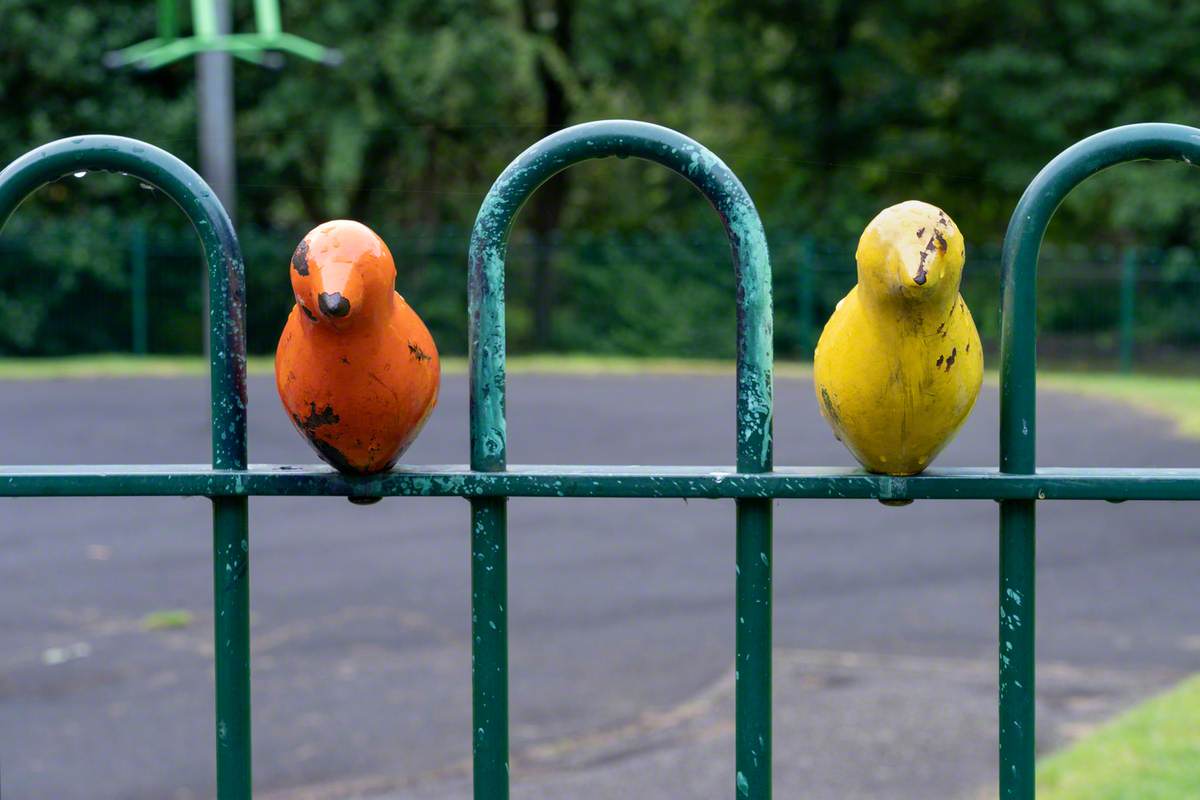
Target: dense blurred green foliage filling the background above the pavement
(829, 111)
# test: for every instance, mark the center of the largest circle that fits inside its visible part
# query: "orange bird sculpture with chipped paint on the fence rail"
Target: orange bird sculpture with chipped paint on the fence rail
(357, 370)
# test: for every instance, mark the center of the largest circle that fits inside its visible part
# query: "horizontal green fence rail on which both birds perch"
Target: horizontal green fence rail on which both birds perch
(580, 482)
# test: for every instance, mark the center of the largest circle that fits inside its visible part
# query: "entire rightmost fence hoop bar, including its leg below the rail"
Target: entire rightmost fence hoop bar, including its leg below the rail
(1018, 412)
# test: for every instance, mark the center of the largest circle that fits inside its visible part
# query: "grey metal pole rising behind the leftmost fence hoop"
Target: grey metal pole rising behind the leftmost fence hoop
(214, 99)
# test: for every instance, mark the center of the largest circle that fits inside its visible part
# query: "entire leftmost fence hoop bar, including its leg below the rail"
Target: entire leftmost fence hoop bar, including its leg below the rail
(178, 182)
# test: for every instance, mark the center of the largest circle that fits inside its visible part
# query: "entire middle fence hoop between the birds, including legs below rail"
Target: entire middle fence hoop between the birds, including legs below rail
(489, 246)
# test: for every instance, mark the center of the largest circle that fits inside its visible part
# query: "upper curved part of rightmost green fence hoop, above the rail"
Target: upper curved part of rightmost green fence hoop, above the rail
(1019, 264)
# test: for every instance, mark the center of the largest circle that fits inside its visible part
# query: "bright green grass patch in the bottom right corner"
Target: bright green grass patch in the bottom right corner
(1151, 753)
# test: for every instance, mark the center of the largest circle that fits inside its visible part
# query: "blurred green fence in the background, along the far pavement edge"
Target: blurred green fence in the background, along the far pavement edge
(122, 287)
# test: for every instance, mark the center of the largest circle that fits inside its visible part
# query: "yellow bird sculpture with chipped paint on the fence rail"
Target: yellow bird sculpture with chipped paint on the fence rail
(899, 364)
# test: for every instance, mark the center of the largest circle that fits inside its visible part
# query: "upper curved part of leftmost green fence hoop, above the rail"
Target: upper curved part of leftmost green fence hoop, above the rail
(178, 182)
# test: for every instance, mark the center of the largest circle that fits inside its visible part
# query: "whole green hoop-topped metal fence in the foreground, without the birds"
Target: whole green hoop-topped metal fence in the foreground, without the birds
(1018, 485)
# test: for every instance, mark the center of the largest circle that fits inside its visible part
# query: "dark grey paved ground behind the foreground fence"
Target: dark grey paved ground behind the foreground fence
(621, 611)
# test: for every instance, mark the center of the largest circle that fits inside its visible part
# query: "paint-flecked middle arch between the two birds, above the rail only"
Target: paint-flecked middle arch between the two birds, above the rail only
(743, 227)
